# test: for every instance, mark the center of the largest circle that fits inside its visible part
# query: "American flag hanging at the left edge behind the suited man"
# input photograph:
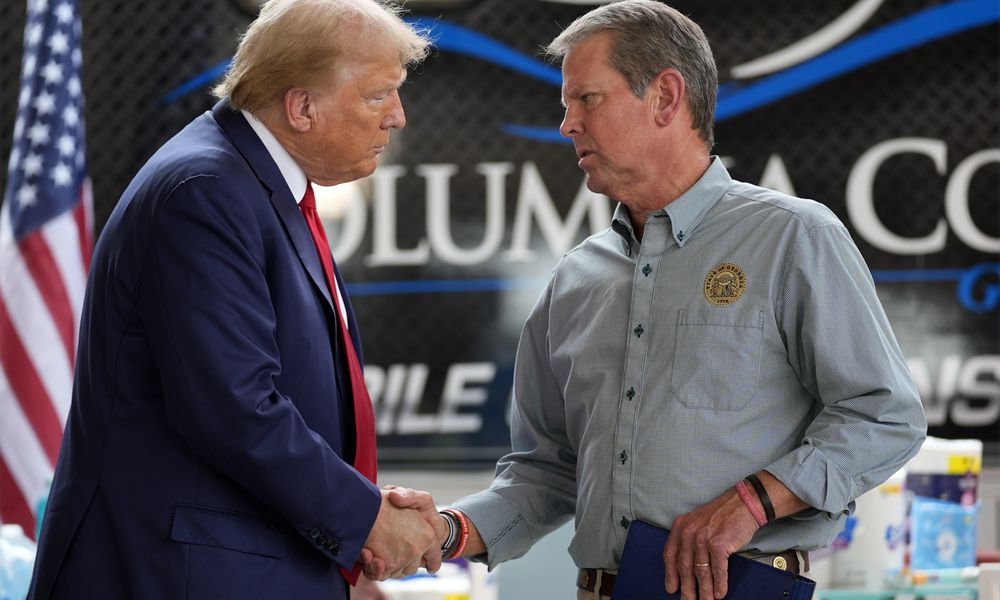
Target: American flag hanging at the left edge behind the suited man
(45, 245)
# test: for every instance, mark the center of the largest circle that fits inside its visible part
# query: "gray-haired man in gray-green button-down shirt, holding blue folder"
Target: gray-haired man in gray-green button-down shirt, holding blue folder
(717, 362)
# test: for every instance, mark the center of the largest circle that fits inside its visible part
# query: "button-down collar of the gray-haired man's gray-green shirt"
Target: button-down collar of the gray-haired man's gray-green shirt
(688, 210)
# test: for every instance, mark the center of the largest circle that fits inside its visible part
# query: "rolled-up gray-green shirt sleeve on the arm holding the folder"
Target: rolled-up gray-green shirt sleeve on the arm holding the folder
(841, 346)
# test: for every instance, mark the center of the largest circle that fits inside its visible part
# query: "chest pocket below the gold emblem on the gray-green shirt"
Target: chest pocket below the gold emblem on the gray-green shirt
(717, 358)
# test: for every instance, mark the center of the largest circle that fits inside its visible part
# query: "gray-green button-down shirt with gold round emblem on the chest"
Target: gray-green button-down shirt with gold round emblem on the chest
(742, 333)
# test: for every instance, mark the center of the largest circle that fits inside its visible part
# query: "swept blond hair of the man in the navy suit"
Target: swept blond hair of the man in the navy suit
(296, 42)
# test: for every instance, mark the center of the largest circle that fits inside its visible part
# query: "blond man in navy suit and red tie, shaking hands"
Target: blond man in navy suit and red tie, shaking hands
(210, 446)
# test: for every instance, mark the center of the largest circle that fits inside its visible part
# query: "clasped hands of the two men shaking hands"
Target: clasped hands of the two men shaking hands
(408, 534)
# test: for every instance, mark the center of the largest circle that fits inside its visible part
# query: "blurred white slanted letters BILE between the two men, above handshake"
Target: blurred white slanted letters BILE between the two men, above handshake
(396, 394)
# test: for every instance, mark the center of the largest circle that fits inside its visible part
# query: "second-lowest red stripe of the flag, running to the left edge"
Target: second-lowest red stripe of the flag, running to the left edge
(27, 387)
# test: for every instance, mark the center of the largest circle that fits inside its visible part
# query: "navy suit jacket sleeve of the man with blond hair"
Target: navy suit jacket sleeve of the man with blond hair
(212, 329)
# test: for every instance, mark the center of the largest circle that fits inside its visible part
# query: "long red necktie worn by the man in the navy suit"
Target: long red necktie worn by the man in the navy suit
(365, 460)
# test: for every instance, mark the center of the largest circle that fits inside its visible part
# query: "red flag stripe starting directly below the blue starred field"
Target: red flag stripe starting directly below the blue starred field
(45, 272)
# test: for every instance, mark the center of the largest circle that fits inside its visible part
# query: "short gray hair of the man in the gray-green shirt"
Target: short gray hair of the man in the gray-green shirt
(648, 37)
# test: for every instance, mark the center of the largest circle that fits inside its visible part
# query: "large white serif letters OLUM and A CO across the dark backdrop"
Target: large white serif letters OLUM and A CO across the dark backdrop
(536, 207)
